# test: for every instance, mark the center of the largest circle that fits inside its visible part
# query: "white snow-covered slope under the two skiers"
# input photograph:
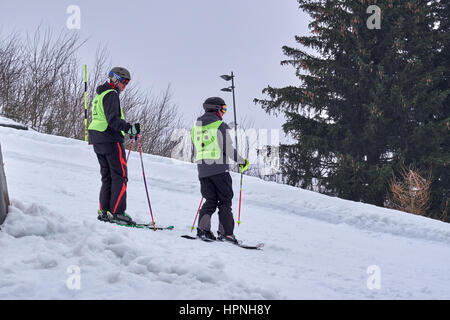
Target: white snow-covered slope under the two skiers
(316, 247)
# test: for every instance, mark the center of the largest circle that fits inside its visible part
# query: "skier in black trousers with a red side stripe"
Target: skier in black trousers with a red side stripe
(106, 133)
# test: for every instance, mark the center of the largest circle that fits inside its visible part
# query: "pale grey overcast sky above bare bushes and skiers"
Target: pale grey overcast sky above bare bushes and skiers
(185, 43)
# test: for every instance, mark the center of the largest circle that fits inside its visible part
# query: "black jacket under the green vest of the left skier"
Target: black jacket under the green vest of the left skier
(111, 107)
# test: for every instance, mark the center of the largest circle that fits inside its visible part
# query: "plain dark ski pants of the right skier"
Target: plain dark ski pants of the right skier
(218, 193)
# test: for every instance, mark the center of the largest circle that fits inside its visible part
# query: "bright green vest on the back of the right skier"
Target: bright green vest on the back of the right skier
(206, 142)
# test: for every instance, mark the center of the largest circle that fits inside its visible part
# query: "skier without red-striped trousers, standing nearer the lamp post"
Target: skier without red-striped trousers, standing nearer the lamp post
(213, 149)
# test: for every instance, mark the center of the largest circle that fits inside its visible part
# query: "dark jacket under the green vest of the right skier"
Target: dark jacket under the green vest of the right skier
(207, 169)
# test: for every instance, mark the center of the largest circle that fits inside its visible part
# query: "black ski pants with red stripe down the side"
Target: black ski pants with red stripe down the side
(113, 169)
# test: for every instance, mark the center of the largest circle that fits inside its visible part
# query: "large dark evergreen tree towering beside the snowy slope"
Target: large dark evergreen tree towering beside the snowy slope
(369, 100)
